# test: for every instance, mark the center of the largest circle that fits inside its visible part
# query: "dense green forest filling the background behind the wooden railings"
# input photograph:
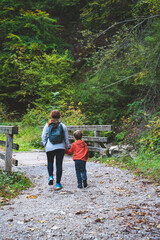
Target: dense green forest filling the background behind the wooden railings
(98, 62)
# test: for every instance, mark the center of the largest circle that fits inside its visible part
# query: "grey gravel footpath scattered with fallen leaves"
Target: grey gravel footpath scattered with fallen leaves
(115, 205)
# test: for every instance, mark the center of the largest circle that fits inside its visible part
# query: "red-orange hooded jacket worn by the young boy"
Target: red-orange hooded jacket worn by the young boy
(79, 149)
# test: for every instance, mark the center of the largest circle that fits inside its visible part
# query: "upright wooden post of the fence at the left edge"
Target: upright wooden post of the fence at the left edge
(8, 155)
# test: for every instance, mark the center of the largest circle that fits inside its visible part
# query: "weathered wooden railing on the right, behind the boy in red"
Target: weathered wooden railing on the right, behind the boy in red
(95, 143)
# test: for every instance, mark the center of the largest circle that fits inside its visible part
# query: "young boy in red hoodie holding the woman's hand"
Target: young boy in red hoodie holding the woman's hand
(80, 156)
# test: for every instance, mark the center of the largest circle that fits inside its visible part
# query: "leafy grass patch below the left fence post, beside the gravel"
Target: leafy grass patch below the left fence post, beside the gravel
(11, 184)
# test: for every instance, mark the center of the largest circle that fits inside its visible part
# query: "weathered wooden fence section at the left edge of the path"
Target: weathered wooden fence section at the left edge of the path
(9, 145)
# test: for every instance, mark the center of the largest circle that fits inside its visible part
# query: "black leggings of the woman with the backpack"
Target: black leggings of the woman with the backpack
(59, 153)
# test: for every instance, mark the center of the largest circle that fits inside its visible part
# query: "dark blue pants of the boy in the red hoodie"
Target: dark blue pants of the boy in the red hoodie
(81, 172)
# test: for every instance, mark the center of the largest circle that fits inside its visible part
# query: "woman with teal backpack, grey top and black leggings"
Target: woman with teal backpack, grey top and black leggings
(55, 149)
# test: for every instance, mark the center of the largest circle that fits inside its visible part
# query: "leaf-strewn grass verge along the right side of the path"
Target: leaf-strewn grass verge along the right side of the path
(144, 164)
